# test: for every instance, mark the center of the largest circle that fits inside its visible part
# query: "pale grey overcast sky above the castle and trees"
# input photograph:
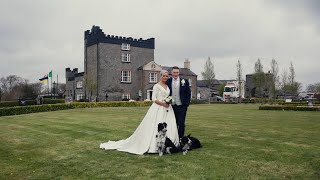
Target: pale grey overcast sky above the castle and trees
(37, 36)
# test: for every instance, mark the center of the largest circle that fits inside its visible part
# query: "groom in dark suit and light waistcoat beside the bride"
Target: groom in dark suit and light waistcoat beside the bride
(180, 92)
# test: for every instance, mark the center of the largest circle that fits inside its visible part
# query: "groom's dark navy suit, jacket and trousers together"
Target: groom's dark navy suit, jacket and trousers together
(180, 111)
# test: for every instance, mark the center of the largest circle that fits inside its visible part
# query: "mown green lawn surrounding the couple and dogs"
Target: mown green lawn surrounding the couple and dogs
(244, 144)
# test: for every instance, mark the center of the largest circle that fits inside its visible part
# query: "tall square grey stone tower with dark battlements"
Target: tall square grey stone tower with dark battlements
(111, 64)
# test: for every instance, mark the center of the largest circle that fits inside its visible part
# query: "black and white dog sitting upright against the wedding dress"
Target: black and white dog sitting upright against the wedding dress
(164, 144)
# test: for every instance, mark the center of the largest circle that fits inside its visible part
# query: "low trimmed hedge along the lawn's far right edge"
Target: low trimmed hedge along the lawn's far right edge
(289, 108)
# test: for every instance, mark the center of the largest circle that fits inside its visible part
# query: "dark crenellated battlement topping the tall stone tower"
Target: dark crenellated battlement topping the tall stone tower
(96, 35)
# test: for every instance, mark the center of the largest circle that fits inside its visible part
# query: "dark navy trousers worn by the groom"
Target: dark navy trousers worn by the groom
(180, 114)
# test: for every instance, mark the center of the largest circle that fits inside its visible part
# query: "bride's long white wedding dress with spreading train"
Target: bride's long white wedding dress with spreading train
(143, 140)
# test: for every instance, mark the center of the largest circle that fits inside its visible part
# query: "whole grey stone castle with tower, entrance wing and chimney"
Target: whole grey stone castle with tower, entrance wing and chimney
(118, 68)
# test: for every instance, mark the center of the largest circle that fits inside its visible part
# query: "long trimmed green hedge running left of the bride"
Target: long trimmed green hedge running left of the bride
(9, 111)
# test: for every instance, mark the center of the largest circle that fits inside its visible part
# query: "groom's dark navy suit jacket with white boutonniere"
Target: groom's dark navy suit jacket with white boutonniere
(185, 92)
